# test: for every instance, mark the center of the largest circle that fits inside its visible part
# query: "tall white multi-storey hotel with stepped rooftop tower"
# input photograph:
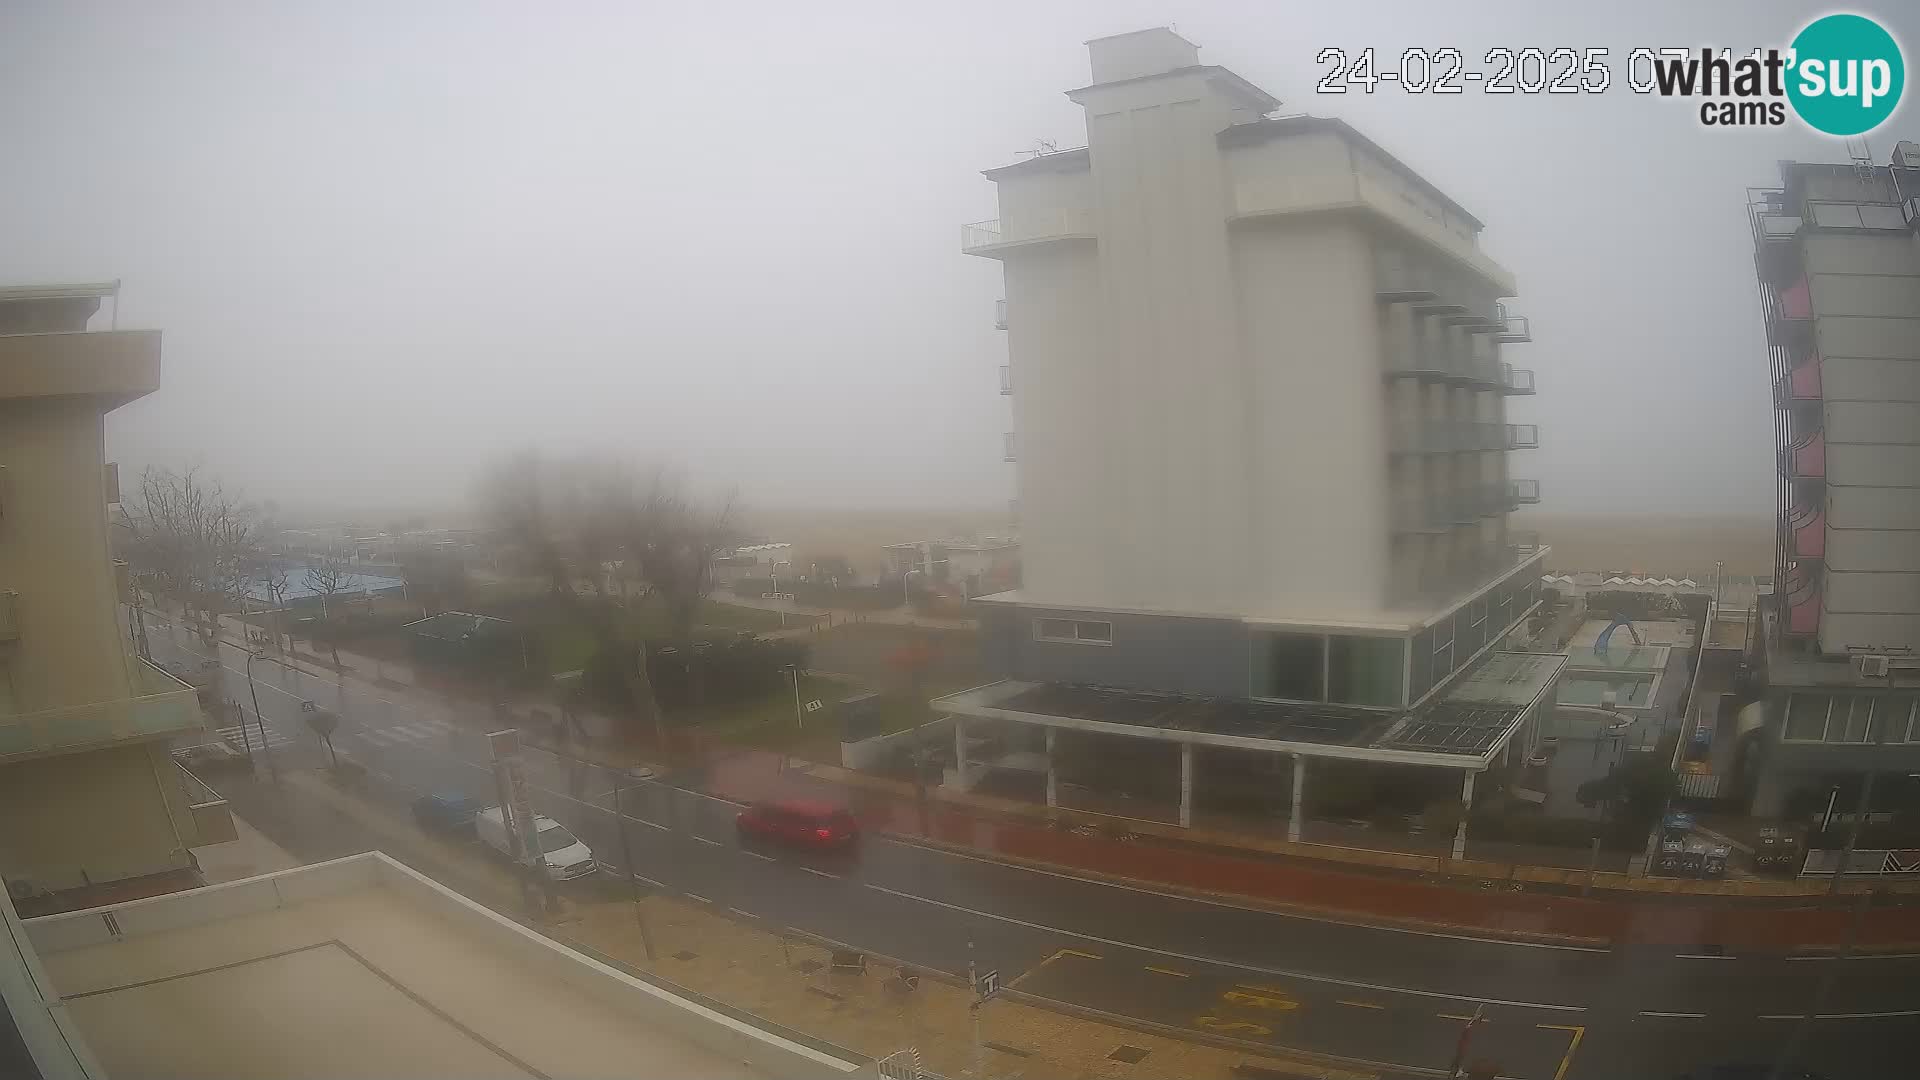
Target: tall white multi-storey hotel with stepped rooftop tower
(1260, 406)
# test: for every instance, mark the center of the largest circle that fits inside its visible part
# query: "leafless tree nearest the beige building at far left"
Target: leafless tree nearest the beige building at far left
(195, 543)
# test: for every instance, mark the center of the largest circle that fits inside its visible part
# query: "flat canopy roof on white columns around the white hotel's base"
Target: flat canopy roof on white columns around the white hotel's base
(1462, 729)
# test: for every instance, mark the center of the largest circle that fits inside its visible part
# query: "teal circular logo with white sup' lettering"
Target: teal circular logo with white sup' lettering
(1848, 76)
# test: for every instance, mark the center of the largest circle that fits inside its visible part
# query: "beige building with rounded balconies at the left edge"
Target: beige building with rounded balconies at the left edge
(89, 793)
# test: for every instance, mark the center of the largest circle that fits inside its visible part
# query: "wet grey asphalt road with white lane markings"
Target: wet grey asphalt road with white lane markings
(1395, 998)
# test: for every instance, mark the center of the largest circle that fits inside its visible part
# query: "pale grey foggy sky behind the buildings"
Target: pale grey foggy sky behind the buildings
(389, 243)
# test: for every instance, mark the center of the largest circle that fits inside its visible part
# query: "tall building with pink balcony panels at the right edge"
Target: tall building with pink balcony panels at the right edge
(1838, 264)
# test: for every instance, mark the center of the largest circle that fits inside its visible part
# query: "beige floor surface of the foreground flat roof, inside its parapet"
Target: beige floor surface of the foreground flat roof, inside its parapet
(368, 983)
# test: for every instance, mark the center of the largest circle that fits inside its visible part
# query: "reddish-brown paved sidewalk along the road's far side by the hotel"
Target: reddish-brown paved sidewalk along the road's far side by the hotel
(1485, 898)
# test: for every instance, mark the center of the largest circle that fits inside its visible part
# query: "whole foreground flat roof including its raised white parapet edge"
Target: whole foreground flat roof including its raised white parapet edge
(364, 968)
